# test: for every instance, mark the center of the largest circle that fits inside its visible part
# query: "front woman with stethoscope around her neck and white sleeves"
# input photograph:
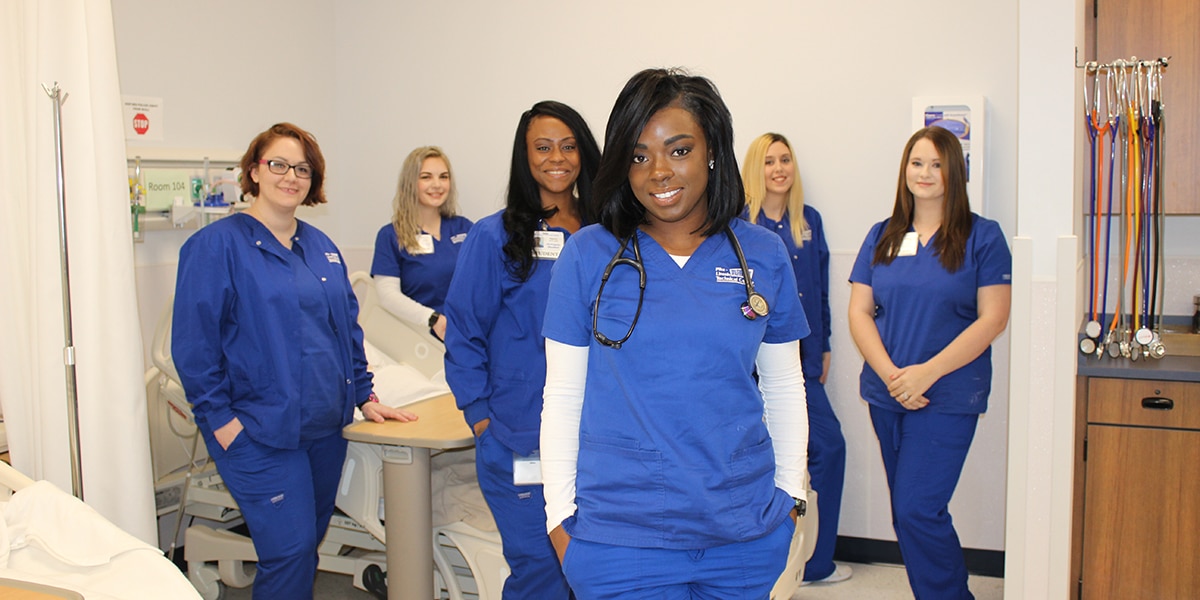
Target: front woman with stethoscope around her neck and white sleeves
(663, 477)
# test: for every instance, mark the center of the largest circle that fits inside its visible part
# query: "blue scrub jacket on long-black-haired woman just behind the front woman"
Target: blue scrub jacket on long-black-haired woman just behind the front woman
(496, 356)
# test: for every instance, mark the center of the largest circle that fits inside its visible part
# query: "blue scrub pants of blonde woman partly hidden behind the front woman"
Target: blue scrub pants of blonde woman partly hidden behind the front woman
(827, 473)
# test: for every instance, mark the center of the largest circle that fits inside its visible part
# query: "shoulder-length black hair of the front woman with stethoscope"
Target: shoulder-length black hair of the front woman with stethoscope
(646, 94)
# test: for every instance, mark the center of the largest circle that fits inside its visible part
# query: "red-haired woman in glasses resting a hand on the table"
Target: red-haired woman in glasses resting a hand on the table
(268, 347)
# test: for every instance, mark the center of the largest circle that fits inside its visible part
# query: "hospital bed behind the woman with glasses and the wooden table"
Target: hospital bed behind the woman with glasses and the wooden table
(407, 367)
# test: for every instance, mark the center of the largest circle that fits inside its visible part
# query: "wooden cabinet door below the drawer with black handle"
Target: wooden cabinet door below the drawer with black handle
(1142, 524)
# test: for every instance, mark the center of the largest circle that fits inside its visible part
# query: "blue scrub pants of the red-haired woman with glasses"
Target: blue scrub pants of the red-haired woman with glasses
(287, 500)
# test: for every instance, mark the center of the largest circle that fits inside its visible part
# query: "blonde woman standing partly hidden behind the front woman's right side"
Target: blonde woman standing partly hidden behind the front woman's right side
(776, 201)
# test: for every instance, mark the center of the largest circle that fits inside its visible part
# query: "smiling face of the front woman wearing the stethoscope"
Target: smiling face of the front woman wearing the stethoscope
(669, 173)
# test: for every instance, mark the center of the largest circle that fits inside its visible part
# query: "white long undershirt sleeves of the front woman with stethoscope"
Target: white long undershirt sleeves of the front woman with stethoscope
(785, 412)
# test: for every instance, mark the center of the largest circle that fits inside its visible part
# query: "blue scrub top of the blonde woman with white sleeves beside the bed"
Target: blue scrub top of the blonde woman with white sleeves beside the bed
(423, 278)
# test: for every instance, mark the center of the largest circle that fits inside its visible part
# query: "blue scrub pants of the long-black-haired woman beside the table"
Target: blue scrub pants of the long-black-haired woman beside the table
(520, 514)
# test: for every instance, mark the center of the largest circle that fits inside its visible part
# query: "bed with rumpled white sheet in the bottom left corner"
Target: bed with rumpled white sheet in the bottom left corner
(58, 547)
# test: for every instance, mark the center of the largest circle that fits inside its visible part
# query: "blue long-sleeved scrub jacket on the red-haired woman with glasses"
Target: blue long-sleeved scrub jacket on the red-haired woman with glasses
(238, 333)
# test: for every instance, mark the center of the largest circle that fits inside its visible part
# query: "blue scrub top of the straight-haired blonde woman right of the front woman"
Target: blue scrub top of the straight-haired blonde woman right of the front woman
(811, 265)
